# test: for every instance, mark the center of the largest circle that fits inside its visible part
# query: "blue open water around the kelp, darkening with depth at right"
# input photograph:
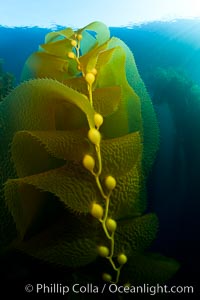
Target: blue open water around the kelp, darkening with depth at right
(167, 55)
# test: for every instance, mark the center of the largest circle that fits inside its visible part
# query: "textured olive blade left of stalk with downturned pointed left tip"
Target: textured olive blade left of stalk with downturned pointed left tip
(72, 184)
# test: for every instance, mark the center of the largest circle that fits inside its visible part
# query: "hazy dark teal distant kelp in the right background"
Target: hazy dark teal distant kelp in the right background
(173, 88)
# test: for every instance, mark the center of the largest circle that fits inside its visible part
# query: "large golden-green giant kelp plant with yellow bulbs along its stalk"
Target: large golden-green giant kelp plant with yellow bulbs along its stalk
(80, 136)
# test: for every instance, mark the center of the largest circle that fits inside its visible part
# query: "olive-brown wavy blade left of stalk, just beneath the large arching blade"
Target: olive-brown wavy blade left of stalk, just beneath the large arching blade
(38, 151)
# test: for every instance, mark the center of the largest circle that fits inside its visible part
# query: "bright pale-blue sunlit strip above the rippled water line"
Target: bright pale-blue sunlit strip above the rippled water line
(45, 13)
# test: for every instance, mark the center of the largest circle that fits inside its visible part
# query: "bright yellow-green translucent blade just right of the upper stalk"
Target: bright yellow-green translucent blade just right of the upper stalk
(128, 111)
